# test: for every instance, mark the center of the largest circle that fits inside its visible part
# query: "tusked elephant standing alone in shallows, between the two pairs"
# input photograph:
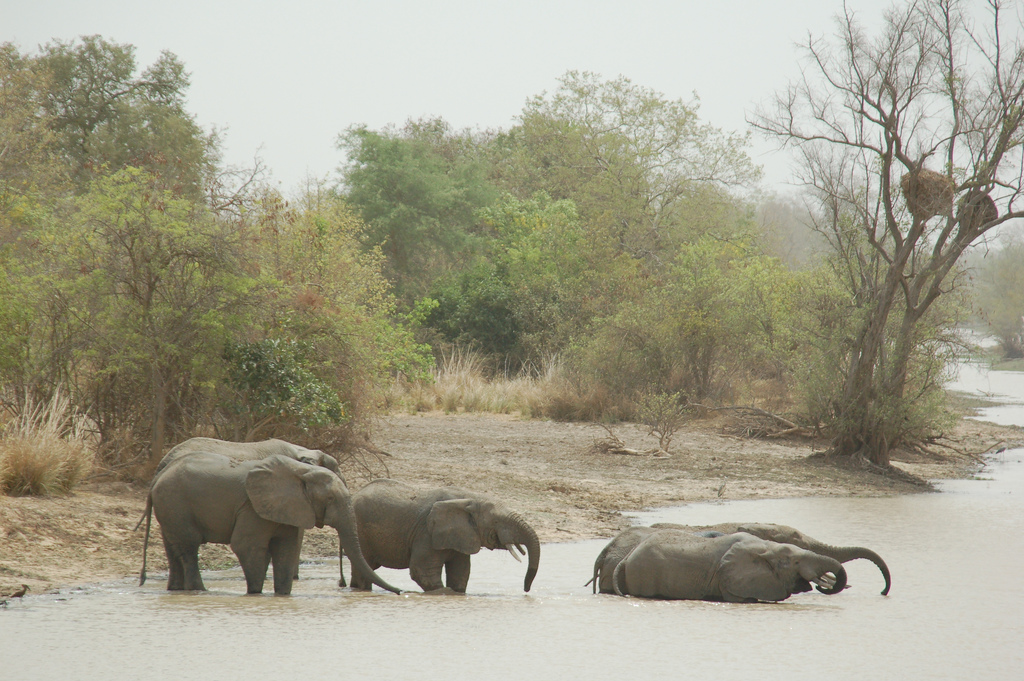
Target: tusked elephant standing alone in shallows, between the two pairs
(404, 528)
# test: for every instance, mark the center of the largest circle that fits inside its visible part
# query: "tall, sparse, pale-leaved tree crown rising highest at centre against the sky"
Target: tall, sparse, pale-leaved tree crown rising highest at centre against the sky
(643, 169)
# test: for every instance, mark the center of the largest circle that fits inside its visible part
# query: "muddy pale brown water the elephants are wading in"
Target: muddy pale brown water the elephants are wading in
(956, 610)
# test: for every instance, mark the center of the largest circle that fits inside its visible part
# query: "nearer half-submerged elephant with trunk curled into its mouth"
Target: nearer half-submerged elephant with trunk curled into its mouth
(737, 569)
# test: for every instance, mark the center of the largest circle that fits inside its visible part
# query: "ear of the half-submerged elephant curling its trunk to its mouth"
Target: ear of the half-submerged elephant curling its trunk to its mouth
(749, 572)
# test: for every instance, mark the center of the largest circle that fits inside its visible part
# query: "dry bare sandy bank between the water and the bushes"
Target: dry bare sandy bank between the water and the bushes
(557, 475)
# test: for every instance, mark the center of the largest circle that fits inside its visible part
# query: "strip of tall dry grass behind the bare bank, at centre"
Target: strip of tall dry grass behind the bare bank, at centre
(463, 385)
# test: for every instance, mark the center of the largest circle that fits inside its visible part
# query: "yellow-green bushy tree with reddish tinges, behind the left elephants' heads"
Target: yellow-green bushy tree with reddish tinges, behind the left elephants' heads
(327, 322)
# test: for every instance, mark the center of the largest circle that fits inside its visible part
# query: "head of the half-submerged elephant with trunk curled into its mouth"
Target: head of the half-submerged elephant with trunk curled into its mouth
(757, 570)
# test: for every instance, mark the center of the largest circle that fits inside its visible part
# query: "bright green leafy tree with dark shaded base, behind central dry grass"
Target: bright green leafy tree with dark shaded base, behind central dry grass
(543, 282)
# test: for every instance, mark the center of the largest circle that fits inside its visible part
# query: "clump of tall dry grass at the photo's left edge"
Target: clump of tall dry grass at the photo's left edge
(45, 450)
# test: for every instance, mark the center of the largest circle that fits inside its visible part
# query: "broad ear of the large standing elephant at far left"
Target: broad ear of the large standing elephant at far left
(278, 493)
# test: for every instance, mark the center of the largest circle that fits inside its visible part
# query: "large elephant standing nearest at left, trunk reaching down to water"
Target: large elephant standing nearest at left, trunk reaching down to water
(257, 507)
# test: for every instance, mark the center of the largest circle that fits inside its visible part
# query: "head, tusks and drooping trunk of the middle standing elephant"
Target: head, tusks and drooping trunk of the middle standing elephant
(468, 525)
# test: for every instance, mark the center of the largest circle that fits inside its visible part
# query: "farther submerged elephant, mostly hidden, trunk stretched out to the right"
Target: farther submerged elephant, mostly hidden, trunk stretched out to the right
(621, 546)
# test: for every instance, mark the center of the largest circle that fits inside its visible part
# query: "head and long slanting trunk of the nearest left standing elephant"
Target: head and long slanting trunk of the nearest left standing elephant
(292, 493)
